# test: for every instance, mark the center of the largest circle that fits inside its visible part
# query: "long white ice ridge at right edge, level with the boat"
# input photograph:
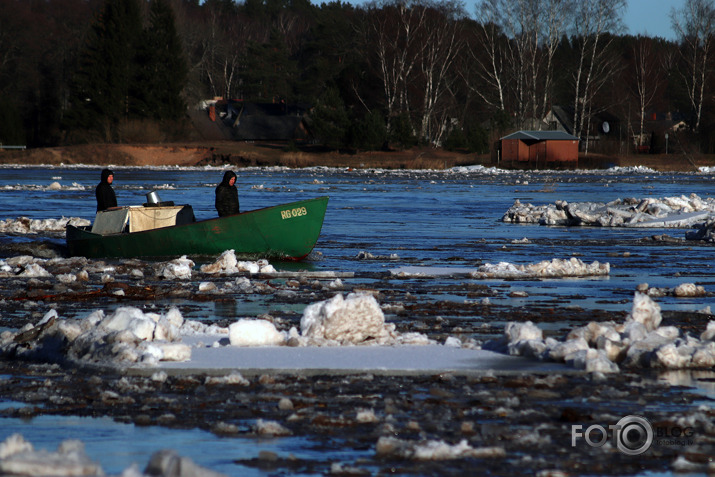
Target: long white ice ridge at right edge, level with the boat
(675, 212)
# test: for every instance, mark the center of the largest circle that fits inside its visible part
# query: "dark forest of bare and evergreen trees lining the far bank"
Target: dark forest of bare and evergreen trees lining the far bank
(387, 73)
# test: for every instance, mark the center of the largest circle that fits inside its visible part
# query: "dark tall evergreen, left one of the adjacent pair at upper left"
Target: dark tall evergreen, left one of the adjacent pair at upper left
(101, 87)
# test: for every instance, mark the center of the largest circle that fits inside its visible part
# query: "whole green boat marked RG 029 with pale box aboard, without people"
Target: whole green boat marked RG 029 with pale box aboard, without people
(287, 232)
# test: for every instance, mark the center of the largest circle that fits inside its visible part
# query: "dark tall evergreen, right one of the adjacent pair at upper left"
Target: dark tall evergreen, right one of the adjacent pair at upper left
(161, 68)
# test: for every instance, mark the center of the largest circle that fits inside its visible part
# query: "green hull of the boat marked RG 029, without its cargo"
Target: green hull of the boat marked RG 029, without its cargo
(288, 231)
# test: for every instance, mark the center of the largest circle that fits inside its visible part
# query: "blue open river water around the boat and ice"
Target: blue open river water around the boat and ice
(400, 218)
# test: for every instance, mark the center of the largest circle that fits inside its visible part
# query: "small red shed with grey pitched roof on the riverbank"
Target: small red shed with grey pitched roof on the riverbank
(539, 149)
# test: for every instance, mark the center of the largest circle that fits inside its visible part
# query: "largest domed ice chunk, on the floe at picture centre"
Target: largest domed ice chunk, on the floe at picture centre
(354, 319)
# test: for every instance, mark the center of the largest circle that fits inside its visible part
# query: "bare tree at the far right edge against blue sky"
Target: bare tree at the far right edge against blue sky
(695, 25)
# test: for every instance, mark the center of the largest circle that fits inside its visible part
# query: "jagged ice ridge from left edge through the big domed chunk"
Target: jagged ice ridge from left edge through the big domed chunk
(132, 337)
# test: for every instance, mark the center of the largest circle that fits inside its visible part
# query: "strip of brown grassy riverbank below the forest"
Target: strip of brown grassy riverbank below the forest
(252, 154)
